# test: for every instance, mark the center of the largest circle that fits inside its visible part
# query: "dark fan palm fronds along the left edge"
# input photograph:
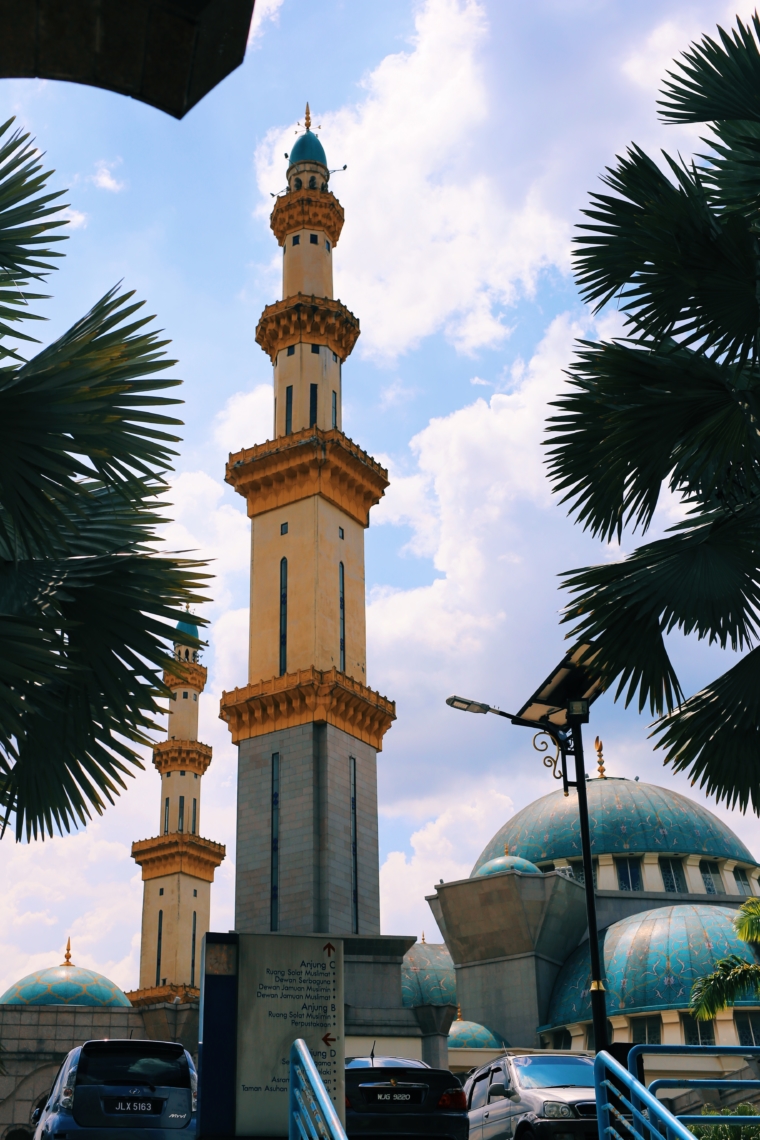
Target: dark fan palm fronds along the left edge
(86, 604)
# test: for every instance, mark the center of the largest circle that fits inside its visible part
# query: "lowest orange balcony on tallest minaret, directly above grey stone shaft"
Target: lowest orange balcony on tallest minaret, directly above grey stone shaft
(309, 696)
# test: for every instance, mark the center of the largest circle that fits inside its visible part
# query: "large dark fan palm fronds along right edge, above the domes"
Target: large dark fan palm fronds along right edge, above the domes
(675, 404)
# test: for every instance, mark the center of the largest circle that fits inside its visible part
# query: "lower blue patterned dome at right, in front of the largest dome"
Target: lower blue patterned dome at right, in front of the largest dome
(651, 962)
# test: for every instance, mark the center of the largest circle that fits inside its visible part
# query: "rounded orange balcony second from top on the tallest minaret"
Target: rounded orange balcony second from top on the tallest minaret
(313, 320)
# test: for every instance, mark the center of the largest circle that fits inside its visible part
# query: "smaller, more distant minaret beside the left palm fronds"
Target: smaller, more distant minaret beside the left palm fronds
(178, 866)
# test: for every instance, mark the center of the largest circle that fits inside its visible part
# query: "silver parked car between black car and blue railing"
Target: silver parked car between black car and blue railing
(534, 1097)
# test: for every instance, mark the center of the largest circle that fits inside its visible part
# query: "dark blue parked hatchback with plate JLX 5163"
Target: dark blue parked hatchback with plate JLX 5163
(104, 1087)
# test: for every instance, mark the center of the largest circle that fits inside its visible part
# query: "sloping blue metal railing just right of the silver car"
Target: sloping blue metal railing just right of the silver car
(626, 1109)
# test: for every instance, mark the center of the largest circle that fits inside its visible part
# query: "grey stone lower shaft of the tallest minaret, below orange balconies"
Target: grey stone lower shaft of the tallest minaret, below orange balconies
(315, 833)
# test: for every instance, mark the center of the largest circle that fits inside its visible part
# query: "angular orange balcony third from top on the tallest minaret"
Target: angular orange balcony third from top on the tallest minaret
(310, 462)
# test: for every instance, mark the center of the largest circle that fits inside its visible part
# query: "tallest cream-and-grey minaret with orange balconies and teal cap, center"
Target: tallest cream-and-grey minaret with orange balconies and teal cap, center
(308, 728)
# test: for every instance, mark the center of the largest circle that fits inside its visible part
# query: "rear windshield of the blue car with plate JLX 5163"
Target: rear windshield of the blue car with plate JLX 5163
(146, 1064)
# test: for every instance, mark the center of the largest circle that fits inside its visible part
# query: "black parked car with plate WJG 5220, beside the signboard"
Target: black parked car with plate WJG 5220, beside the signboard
(395, 1096)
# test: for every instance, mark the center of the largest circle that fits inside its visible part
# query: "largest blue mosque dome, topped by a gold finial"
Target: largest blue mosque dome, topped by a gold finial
(626, 817)
